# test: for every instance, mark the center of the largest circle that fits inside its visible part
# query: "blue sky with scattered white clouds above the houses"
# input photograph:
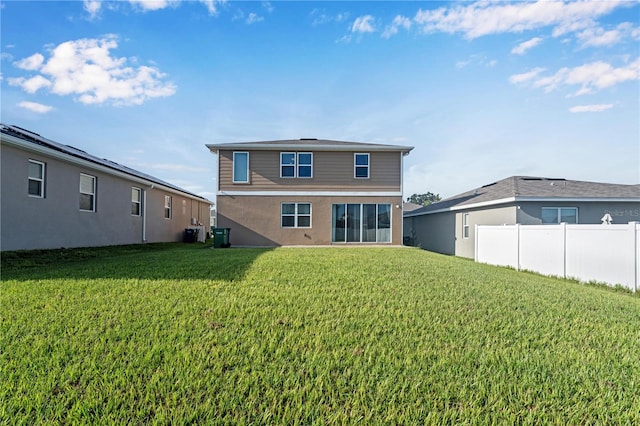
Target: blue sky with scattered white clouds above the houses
(482, 90)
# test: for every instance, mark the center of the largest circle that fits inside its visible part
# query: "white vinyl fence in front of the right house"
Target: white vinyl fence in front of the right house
(602, 253)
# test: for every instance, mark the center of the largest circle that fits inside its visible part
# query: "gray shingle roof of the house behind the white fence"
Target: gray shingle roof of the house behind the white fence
(523, 188)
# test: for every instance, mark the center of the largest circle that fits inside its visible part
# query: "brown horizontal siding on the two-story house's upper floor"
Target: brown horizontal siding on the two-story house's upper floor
(332, 171)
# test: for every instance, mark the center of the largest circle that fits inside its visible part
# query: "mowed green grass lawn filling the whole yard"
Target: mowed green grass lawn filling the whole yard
(183, 334)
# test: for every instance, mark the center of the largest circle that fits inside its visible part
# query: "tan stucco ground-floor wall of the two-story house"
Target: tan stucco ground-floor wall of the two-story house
(255, 220)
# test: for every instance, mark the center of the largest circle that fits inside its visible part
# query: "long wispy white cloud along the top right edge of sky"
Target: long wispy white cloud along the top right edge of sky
(488, 17)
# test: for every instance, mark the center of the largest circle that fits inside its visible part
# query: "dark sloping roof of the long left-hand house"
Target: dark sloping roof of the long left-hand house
(35, 138)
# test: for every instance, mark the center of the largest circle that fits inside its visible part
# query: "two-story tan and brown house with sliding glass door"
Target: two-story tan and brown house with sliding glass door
(310, 192)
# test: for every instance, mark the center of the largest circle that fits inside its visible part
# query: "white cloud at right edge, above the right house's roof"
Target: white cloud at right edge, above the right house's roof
(590, 77)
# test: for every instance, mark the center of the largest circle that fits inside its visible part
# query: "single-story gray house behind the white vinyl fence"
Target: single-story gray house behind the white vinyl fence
(449, 226)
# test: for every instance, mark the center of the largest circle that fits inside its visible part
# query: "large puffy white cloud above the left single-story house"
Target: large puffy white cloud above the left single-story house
(85, 68)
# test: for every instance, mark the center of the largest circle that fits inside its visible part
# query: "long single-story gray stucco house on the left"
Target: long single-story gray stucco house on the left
(54, 196)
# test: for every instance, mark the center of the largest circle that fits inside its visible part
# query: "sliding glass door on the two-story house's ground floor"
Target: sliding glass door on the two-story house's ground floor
(361, 223)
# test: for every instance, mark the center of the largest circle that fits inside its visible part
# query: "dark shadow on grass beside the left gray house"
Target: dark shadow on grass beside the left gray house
(170, 261)
